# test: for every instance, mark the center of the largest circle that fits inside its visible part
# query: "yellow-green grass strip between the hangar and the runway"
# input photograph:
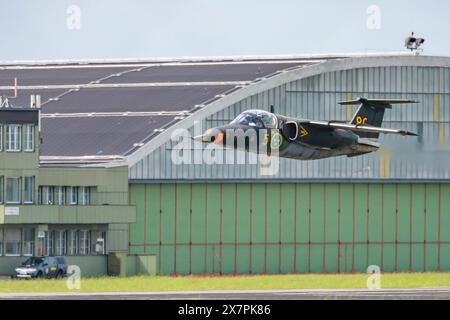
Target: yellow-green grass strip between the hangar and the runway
(260, 282)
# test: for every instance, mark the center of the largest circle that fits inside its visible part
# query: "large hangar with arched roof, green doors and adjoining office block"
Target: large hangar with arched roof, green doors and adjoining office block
(107, 127)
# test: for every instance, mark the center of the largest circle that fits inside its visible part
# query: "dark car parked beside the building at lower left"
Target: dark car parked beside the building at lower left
(42, 267)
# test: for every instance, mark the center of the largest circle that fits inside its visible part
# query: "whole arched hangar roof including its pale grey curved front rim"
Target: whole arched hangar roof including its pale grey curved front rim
(116, 111)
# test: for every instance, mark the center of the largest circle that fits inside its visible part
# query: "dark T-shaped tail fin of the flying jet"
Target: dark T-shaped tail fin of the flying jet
(371, 112)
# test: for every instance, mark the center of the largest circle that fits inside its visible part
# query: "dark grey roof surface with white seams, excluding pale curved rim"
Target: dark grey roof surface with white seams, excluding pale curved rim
(111, 109)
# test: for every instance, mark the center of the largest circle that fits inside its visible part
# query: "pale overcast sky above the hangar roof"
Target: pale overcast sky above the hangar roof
(82, 29)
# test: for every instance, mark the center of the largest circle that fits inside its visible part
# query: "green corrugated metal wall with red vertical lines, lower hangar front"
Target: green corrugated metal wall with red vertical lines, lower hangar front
(292, 228)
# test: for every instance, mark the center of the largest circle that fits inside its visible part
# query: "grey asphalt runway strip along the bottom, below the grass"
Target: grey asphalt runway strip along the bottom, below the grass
(316, 294)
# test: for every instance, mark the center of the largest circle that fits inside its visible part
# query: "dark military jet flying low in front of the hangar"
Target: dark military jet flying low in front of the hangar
(301, 139)
